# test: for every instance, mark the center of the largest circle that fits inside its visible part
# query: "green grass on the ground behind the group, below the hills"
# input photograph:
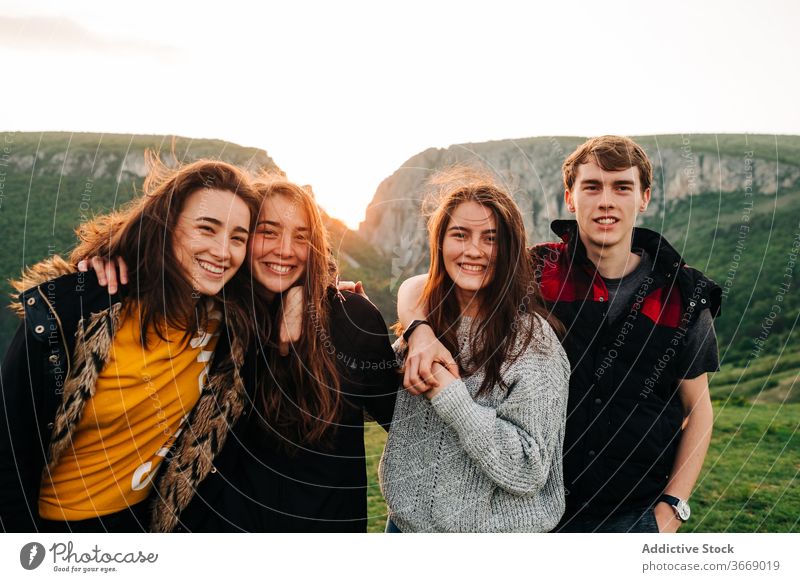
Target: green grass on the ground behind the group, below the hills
(750, 481)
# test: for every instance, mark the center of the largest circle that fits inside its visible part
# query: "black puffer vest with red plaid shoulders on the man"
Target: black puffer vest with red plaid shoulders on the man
(624, 415)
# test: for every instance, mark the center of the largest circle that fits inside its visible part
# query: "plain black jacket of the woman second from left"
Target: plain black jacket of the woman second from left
(259, 486)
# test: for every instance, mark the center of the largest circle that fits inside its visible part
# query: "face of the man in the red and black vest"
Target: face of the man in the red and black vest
(605, 204)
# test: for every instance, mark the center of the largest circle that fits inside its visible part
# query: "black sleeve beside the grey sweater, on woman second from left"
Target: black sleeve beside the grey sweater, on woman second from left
(364, 352)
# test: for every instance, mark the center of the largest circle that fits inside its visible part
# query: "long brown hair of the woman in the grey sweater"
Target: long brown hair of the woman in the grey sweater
(512, 291)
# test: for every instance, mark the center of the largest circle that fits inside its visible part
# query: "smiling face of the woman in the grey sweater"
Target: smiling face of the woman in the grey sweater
(469, 251)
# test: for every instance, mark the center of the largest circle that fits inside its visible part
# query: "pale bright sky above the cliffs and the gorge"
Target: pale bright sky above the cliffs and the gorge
(340, 94)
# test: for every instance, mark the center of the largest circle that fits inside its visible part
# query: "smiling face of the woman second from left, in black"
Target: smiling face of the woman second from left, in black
(279, 247)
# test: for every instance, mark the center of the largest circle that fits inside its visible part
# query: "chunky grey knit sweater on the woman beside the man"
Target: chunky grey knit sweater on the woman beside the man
(458, 463)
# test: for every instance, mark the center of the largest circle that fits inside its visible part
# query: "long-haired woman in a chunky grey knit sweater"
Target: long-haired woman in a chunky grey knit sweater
(481, 451)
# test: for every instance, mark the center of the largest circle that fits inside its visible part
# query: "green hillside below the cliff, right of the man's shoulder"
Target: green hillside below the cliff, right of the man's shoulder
(751, 249)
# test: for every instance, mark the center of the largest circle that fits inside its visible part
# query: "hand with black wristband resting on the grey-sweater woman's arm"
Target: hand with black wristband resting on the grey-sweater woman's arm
(425, 349)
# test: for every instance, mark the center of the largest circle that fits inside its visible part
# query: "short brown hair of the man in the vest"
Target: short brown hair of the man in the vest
(612, 153)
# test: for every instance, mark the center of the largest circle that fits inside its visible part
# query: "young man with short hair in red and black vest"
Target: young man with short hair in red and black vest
(640, 339)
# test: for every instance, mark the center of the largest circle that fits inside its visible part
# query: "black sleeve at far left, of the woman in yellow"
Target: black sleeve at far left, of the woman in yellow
(20, 446)
